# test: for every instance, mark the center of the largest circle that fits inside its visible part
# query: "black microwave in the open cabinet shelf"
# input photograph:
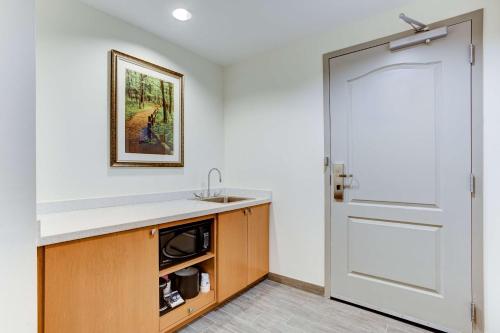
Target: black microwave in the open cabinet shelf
(184, 242)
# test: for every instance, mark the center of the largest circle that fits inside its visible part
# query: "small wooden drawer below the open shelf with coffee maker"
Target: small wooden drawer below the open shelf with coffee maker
(191, 308)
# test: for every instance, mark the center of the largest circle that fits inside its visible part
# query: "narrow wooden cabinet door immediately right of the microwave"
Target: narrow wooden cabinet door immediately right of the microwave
(231, 253)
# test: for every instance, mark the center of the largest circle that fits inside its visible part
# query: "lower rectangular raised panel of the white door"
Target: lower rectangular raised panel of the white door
(405, 254)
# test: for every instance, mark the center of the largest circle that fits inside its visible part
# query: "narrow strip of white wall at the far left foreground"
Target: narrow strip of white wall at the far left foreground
(17, 167)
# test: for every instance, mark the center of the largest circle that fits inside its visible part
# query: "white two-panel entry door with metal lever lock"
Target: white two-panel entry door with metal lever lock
(401, 236)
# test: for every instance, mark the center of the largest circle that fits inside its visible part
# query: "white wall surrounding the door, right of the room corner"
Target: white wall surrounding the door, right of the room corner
(274, 136)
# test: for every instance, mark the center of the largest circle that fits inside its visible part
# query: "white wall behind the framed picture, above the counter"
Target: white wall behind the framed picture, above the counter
(73, 41)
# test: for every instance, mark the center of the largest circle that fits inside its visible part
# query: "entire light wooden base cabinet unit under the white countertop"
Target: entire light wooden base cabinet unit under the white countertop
(110, 283)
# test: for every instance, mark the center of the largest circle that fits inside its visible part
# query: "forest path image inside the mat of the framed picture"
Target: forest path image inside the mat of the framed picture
(149, 114)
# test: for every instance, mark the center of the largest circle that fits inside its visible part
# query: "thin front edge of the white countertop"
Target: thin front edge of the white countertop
(94, 232)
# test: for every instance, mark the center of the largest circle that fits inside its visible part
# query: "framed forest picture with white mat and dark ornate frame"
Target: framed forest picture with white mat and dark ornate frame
(146, 114)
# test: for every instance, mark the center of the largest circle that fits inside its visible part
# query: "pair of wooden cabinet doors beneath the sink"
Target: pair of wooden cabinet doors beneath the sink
(243, 249)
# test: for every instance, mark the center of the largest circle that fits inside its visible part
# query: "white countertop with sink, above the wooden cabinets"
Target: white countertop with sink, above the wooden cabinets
(77, 224)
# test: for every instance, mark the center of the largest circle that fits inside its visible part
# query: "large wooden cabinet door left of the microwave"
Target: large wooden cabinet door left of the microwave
(103, 284)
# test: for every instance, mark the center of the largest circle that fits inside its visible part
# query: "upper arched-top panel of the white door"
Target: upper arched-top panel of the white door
(398, 101)
